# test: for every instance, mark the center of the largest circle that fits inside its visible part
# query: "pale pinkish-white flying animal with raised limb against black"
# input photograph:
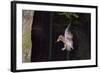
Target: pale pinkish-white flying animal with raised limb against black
(67, 39)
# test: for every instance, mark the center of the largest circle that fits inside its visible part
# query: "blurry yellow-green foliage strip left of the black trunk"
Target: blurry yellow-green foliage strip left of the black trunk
(26, 46)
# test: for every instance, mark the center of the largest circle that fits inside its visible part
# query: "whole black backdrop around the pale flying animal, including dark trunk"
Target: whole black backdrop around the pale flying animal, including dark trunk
(46, 28)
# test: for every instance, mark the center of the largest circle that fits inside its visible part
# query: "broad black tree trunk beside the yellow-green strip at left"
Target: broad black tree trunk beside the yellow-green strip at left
(40, 36)
